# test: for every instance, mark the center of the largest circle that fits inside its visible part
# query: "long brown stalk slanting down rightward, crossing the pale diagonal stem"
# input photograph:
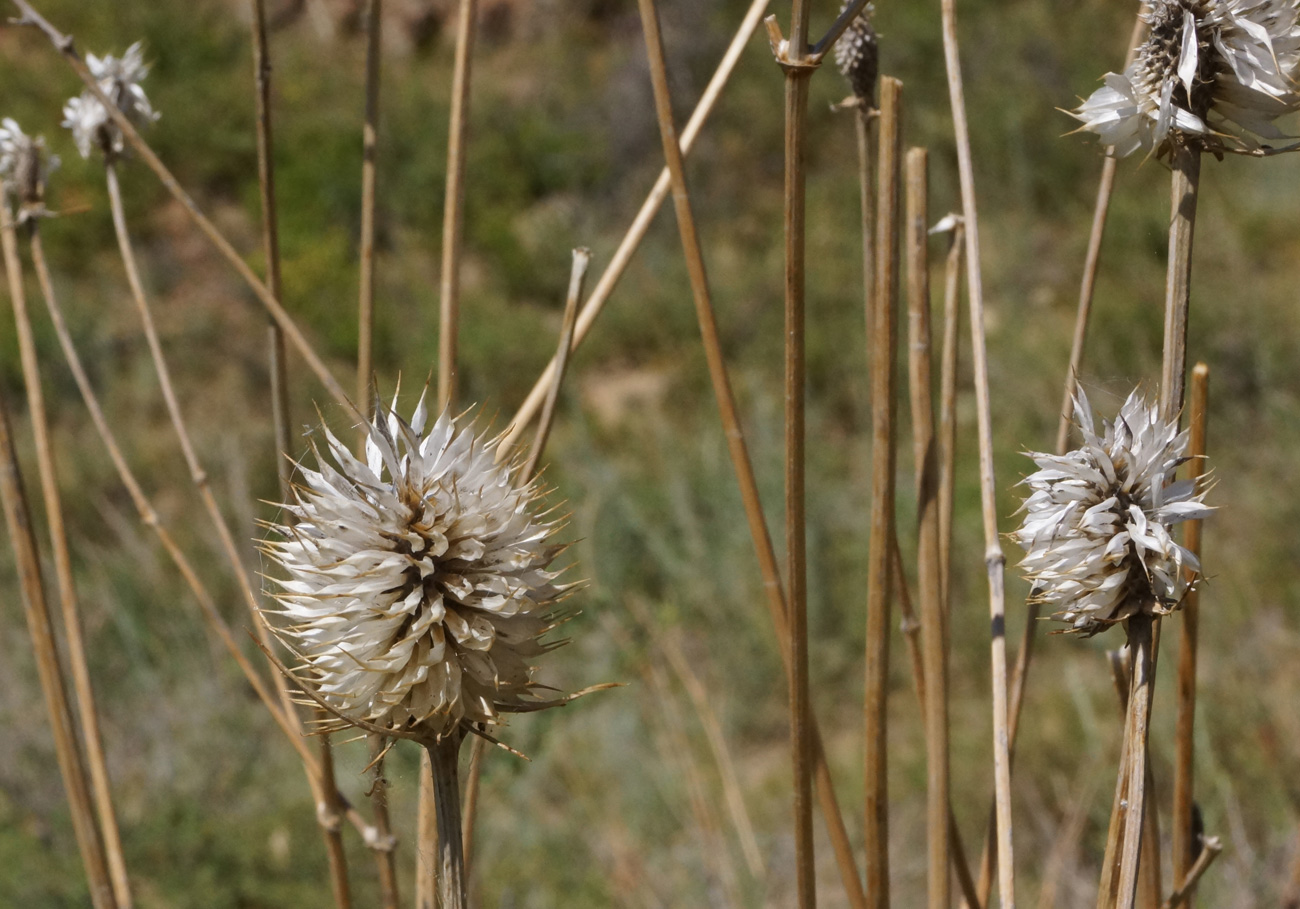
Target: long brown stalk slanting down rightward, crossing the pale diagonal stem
(804, 726)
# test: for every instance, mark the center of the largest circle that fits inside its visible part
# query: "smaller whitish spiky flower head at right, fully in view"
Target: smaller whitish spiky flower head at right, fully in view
(1098, 521)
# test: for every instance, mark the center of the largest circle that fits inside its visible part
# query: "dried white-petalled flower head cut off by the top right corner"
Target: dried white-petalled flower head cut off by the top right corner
(1211, 72)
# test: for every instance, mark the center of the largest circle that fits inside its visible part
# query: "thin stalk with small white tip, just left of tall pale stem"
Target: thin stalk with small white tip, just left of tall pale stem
(948, 410)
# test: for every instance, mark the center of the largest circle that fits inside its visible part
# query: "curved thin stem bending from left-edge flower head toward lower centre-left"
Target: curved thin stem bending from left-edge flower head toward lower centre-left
(150, 518)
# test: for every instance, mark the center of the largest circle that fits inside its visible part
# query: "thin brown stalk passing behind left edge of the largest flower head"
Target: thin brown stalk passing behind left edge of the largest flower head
(326, 794)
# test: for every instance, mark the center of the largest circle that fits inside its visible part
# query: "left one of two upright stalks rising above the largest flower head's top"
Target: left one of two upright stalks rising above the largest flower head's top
(370, 148)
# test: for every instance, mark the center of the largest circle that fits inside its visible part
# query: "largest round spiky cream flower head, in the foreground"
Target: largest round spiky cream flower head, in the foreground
(417, 582)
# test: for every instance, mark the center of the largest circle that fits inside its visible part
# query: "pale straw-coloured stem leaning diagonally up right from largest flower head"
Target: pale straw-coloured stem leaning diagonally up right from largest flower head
(640, 224)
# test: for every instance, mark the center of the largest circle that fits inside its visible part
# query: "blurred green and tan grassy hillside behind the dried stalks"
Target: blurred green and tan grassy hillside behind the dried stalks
(622, 802)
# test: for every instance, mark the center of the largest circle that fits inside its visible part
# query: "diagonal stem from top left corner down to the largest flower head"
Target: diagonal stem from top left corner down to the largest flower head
(64, 45)
